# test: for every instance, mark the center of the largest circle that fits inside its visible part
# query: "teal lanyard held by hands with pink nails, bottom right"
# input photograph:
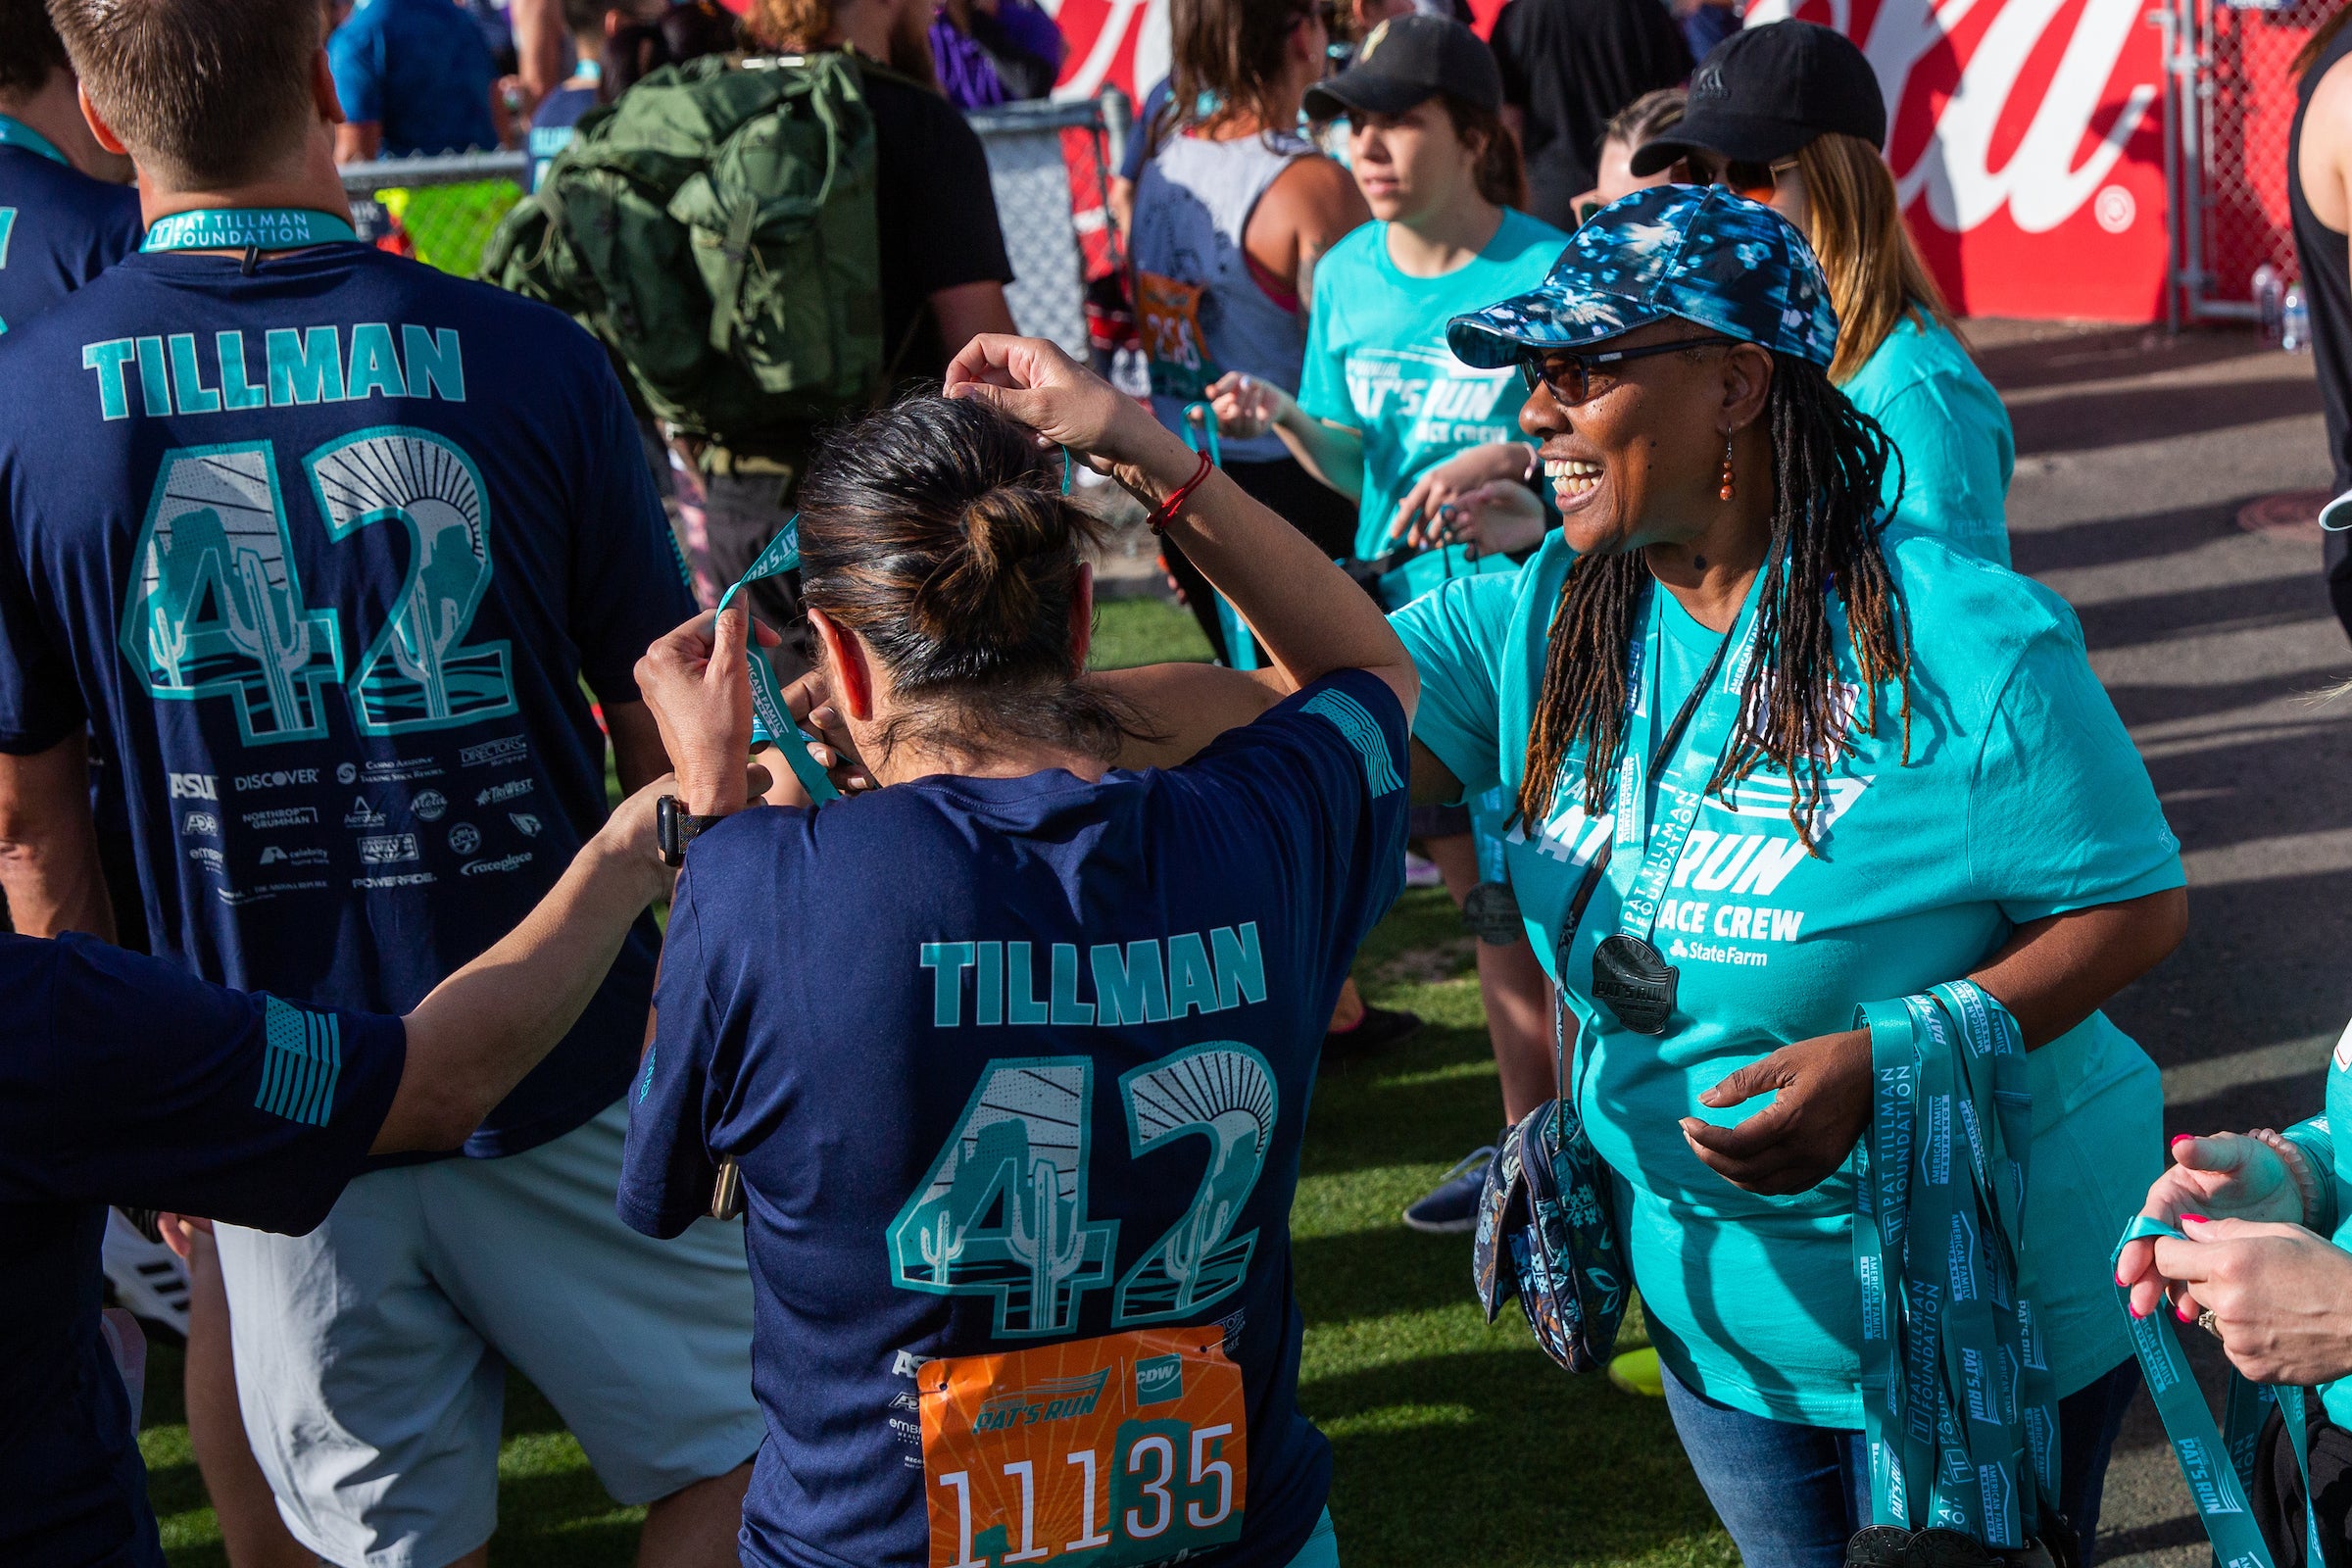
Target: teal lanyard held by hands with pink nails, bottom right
(2217, 1463)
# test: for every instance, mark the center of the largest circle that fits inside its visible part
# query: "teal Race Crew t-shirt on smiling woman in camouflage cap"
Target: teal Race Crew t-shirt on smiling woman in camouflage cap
(2022, 798)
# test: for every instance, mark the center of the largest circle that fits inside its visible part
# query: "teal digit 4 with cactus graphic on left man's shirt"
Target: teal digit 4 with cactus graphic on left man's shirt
(218, 605)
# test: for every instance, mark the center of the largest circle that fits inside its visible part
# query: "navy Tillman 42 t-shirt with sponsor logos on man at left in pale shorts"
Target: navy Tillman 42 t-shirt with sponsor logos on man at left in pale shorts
(326, 554)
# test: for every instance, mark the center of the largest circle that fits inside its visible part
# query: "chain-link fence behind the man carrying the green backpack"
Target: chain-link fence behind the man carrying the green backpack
(1045, 161)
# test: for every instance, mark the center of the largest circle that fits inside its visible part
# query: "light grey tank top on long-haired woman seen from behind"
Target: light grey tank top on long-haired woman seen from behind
(1201, 309)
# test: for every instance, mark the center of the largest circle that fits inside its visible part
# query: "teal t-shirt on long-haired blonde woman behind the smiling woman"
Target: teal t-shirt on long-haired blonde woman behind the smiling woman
(1951, 429)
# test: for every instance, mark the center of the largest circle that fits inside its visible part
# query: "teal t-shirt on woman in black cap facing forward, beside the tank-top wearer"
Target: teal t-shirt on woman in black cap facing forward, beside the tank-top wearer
(1379, 363)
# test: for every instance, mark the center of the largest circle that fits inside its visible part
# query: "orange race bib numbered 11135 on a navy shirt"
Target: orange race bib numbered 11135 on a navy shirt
(1118, 1452)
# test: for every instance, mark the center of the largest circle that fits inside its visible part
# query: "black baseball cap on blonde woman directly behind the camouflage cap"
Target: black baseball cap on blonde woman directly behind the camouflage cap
(1765, 93)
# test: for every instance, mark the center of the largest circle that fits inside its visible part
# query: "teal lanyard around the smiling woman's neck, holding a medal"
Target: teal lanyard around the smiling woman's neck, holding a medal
(1641, 885)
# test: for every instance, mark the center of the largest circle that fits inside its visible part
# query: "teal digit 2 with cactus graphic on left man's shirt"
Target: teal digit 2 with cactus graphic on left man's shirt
(420, 674)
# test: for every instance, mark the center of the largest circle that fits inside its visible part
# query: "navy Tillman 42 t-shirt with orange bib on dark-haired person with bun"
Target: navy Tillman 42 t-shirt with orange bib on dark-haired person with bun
(914, 1012)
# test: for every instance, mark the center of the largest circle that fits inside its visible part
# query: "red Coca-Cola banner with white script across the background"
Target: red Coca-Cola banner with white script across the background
(2026, 135)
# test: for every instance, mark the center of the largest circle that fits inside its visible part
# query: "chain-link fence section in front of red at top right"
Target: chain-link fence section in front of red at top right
(2231, 112)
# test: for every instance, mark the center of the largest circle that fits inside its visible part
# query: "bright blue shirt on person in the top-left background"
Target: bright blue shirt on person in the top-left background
(420, 69)
